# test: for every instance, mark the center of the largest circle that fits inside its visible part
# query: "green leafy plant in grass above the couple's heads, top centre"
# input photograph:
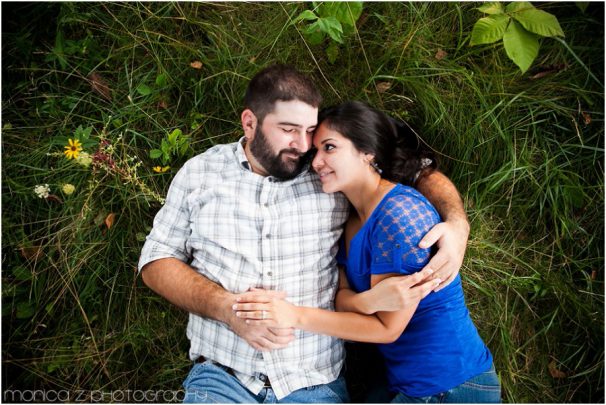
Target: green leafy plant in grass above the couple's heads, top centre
(332, 19)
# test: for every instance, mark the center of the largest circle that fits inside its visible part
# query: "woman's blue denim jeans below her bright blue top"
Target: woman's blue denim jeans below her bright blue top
(483, 388)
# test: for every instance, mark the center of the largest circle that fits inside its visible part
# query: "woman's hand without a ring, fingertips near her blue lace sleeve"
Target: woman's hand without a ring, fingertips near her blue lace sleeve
(400, 292)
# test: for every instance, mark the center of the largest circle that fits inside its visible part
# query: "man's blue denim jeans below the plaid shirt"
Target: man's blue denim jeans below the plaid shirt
(209, 383)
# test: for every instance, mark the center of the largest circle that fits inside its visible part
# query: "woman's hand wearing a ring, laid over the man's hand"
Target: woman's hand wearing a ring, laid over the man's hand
(259, 307)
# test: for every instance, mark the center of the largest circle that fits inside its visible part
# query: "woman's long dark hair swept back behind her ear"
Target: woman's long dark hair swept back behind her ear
(398, 152)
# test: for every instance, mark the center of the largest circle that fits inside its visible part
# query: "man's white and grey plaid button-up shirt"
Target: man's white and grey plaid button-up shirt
(242, 230)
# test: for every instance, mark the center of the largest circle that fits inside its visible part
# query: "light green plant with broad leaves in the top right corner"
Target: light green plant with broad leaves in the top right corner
(519, 25)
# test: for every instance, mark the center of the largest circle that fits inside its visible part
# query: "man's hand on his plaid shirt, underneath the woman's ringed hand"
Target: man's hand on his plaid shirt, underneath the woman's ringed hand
(261, 338)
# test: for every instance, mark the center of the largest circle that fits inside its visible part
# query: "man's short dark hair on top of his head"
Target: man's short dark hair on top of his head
(279, 83)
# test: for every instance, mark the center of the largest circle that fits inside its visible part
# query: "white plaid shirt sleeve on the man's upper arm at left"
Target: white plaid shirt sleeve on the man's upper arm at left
(171, 230)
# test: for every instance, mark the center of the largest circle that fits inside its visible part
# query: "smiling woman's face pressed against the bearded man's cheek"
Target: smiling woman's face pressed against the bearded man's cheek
(338, 163)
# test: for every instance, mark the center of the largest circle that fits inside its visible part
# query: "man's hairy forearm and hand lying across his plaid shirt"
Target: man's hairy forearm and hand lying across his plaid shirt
(184, 287)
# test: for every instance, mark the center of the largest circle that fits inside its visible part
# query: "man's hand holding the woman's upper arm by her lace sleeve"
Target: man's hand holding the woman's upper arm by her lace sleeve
(451, 238)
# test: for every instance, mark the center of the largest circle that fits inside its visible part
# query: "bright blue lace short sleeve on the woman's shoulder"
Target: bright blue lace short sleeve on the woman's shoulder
(401, 224)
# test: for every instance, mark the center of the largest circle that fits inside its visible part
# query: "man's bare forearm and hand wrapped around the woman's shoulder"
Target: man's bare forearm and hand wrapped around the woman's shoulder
(451, 235)
